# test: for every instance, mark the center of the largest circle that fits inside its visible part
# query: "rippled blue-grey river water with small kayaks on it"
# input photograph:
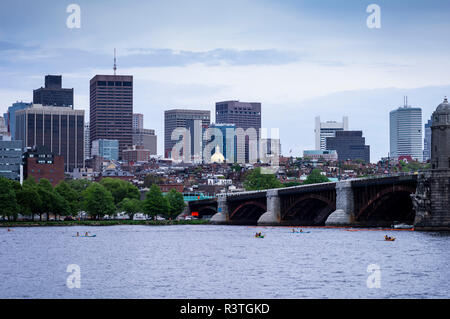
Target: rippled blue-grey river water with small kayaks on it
(205, 261)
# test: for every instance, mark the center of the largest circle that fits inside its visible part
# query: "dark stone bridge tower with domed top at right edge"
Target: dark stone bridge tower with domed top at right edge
(432, 198)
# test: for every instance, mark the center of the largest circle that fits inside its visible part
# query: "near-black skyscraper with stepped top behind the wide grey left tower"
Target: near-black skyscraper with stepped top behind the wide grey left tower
(53, 94)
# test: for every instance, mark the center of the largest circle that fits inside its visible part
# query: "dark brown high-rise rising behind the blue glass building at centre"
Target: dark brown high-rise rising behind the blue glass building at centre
(244, 115)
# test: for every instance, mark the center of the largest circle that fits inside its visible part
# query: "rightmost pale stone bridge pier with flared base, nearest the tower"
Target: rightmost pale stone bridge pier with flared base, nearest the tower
(343, 215)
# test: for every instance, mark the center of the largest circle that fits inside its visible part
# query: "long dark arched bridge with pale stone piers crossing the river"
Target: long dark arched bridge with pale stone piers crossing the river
(359, 202)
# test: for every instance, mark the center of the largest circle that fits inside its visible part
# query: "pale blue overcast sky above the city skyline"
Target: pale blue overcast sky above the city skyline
(300, 59)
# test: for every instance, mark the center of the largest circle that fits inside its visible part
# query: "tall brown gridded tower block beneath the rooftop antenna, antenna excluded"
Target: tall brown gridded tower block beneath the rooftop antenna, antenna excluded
(111, 109)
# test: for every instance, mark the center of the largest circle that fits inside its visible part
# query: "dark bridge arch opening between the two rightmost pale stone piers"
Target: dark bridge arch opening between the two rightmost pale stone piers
(309, 209)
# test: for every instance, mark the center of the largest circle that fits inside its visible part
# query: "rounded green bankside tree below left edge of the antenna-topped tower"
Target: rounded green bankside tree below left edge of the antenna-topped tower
(98, 201)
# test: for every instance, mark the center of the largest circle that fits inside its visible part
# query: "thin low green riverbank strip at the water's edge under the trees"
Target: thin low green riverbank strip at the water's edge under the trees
(102, 223)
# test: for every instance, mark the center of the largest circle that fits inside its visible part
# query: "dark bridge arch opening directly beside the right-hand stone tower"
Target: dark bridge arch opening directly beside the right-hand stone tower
(389, 205)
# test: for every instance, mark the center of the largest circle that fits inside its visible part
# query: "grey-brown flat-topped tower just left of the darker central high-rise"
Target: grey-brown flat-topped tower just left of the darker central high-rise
(179, 118)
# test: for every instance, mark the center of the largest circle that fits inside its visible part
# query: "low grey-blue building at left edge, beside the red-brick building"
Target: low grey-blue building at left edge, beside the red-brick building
(11, 159)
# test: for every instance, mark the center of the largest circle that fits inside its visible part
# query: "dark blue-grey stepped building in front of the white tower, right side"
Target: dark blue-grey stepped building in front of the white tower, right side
(349, 145)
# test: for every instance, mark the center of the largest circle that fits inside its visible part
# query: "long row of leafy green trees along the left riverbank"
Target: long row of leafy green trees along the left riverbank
(97, 199)
